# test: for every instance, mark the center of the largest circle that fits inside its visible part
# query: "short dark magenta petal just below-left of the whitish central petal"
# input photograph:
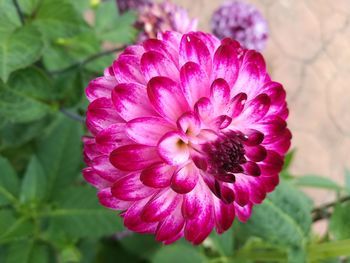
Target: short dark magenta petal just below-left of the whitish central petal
(157, 176)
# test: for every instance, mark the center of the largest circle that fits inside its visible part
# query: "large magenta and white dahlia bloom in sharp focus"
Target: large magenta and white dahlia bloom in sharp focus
(188, 132)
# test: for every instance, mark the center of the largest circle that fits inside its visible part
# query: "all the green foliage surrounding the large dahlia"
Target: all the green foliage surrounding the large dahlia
(48, 54)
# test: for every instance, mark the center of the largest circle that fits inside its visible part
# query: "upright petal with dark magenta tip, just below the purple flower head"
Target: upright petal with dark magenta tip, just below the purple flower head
(225, 64)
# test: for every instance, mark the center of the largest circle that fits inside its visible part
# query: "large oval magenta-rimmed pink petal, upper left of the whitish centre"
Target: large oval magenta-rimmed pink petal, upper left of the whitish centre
(167, 98)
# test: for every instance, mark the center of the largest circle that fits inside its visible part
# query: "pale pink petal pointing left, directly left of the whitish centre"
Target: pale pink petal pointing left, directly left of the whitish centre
(147, 130)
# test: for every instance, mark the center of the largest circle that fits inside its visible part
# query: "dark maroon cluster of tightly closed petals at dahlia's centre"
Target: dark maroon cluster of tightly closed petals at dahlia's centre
(225, 156)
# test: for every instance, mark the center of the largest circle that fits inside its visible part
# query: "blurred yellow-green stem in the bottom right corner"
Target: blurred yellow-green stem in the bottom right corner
(329, 250)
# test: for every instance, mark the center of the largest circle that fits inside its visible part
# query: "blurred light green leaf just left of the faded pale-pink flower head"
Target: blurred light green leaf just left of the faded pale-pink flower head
(113, 27)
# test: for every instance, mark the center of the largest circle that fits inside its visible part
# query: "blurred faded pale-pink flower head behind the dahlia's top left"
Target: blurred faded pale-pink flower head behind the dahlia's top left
(160, 17)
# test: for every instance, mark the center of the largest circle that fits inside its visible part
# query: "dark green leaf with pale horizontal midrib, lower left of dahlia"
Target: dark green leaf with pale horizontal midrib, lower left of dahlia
(79, 214)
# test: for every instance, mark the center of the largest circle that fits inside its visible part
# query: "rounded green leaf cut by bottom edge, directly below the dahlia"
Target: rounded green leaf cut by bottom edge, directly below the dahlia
(178, 253)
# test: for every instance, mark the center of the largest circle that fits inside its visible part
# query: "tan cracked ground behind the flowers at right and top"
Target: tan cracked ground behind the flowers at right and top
(309, 52)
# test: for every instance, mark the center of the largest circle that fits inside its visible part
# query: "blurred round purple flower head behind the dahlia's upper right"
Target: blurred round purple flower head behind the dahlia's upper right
(242, 22)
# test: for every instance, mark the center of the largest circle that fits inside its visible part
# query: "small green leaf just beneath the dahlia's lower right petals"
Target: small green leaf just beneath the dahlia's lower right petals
(223, 243)
